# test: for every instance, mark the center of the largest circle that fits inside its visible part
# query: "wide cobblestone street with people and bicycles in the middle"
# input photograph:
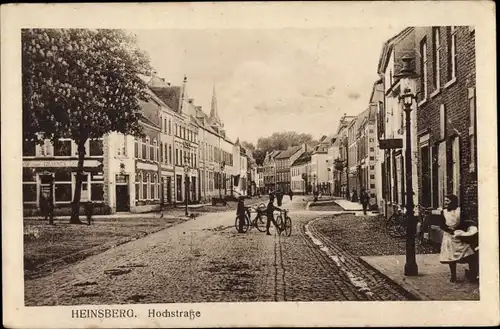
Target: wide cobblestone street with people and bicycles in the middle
(207, 260)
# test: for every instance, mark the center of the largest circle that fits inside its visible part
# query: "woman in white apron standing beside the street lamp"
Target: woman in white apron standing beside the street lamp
(453, 250)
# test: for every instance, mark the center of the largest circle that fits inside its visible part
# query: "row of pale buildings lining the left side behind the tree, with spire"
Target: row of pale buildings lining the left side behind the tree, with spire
(184, 148)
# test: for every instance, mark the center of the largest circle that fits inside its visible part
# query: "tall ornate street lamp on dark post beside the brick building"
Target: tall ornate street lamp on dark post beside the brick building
(407, 75)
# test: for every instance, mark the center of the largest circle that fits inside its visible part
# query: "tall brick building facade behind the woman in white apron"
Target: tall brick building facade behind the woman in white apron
(446, 124)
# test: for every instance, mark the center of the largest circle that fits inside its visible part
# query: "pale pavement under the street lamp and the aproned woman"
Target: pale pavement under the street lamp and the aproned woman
(432, 283)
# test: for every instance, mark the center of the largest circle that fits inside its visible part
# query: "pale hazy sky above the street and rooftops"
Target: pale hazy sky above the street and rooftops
(272, 80)
